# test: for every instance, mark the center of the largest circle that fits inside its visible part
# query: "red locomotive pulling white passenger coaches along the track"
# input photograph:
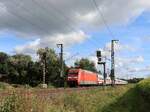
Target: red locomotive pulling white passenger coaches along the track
(80, 77)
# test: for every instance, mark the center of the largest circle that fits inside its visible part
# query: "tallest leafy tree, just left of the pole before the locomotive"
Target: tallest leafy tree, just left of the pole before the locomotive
(50, 65)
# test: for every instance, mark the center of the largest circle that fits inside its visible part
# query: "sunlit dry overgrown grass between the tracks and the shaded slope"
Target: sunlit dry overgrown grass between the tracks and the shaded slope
(84, 101)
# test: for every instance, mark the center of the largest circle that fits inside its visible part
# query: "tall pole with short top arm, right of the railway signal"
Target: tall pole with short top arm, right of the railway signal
(112, 75)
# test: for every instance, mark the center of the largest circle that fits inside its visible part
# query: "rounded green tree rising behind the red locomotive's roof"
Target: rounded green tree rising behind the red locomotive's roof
(86, 64)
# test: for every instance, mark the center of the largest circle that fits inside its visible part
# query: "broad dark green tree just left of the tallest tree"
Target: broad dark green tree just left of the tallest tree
(18, 68)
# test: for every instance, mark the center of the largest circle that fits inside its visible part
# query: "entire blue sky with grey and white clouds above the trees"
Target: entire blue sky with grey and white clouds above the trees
(26, 25)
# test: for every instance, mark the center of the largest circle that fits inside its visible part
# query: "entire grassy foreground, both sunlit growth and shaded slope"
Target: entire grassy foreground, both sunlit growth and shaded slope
(128, 98)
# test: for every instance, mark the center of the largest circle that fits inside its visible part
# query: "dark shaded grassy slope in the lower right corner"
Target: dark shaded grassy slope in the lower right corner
(136, 99)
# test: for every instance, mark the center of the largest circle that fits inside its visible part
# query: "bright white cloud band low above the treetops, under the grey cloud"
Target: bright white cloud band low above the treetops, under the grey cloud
(67, 40)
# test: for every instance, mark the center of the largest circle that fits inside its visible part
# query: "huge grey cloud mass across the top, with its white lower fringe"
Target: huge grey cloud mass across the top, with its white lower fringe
(55, 20)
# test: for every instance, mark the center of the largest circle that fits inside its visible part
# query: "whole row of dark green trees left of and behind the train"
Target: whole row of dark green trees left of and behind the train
(21, 69)
